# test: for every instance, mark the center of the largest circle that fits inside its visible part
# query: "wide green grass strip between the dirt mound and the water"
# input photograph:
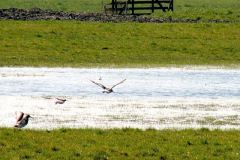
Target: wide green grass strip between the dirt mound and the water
(77, 44)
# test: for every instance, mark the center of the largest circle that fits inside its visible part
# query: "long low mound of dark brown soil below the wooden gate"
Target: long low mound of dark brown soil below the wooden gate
(39, 14)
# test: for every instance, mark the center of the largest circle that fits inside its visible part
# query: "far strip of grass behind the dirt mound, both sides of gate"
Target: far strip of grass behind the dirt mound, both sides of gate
(204, 9)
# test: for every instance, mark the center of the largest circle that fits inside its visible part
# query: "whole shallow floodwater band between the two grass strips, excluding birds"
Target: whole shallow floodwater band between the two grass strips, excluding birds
(149, 98)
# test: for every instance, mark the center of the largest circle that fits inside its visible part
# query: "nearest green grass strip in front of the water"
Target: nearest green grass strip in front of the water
(119, 144)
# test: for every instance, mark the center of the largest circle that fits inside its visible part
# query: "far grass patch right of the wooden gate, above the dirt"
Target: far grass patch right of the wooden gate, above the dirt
(205, 10)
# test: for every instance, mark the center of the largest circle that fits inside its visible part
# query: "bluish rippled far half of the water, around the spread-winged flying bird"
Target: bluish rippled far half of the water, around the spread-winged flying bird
(141, 83)
